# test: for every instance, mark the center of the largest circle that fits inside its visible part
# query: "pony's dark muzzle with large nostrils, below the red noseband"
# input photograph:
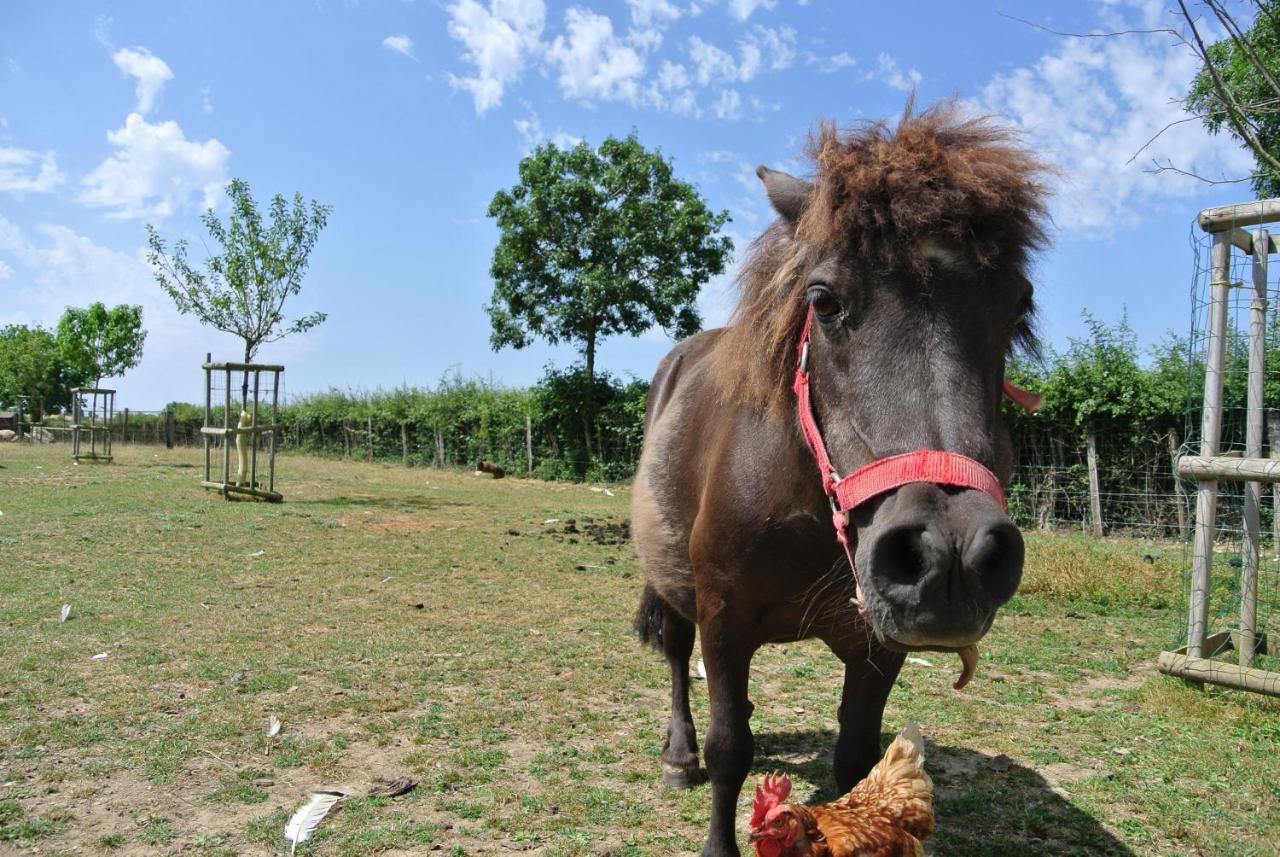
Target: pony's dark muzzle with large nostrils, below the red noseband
(936, 571)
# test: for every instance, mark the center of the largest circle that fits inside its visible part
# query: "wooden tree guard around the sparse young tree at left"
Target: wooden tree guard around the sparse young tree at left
(248, 437)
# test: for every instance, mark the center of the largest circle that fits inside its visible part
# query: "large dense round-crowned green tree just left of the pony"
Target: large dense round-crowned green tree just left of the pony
(597, 242)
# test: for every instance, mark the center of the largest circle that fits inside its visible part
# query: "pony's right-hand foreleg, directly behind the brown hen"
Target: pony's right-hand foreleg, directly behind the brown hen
(870, 677)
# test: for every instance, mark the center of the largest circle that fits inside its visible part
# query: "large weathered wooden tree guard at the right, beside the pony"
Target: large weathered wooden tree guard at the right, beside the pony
(1200, 659)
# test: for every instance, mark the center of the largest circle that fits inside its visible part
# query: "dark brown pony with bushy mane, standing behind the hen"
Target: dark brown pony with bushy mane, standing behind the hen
(911, 248)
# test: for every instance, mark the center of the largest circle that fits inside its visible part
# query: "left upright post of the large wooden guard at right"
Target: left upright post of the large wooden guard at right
(1212, 433)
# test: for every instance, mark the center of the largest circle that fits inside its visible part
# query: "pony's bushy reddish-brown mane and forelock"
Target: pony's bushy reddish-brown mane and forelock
(879, 194)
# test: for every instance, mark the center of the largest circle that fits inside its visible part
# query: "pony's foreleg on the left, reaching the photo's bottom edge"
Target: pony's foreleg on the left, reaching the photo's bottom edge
(729, 740)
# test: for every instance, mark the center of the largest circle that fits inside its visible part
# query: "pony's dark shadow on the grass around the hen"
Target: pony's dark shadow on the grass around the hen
(984, 805)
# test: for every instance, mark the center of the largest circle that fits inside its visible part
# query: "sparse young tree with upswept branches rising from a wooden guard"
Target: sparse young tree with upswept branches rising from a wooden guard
(243, 290)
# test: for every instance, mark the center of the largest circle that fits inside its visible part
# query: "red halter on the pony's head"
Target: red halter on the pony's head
(884, 475)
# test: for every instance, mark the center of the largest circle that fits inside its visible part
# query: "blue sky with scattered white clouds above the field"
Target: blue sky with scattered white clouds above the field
(408, 116)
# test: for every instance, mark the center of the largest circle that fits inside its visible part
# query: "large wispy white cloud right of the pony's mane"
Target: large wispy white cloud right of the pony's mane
(1090, 106)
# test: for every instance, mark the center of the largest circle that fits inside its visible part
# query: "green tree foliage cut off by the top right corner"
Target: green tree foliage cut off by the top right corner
(1238, 88)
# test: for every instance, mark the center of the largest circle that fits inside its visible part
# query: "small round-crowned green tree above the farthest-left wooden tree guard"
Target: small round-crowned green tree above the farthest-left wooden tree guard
(95, 342)
